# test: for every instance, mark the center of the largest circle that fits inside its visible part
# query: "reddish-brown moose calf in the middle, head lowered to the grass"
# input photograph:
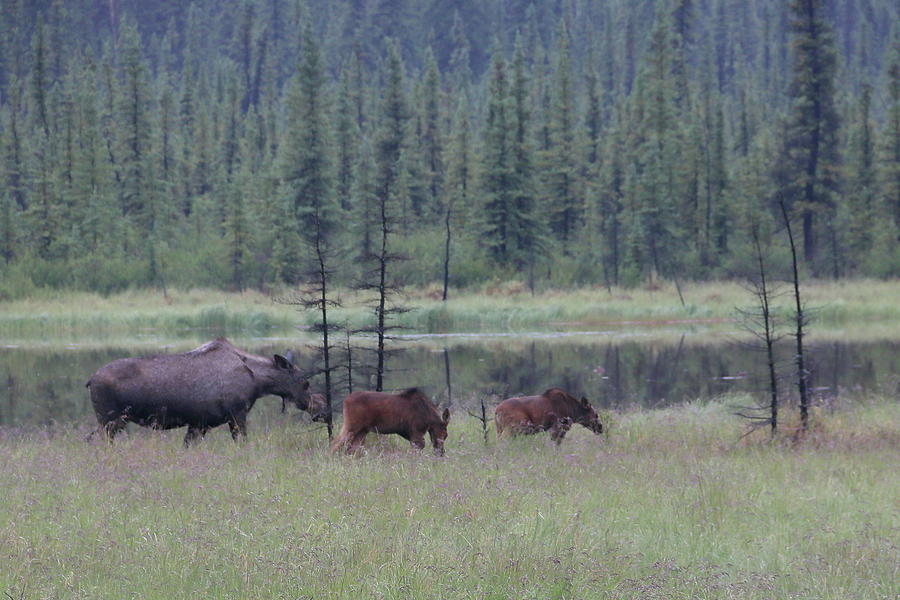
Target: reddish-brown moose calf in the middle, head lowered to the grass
(409, 414)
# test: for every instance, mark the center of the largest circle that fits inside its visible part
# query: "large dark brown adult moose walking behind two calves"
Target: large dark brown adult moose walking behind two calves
(204, 388)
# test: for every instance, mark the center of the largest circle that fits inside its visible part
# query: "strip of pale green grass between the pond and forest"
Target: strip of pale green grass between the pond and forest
(870, 306)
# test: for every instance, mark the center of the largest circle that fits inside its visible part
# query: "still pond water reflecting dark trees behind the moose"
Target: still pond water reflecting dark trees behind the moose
(45, 384)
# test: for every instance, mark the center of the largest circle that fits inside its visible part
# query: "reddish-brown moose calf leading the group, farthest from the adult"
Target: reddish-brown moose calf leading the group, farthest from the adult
(553, 411)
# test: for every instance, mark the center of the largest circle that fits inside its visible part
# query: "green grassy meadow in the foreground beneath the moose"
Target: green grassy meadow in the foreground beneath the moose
(672, 504)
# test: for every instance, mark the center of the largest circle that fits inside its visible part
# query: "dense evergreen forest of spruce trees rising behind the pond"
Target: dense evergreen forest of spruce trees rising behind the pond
(258, 143)
